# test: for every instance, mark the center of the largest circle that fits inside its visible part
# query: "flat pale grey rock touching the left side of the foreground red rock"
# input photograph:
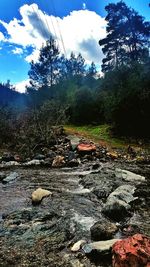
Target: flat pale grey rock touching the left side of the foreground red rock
(100, 246)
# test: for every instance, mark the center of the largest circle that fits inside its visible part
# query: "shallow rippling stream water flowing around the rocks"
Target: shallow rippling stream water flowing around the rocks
(42, 235)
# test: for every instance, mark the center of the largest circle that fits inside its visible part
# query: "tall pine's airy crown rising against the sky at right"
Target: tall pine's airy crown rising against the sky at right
(127, 37)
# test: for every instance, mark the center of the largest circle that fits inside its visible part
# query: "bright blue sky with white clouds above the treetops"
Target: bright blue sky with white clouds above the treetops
(76, 25)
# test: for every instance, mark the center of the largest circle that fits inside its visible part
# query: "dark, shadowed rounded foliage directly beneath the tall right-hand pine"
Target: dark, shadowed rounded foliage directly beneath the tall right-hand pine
(126, 99)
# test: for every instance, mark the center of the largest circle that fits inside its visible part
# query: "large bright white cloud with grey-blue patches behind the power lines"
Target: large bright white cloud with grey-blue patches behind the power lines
(80, 30)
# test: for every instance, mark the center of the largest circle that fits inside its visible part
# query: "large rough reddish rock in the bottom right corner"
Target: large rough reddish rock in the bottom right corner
(133, 251)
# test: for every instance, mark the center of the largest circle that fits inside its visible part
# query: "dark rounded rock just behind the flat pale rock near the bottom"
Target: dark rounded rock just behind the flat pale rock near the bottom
(103, 230)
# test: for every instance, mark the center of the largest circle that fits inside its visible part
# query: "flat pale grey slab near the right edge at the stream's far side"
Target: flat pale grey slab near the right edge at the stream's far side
(129, 176)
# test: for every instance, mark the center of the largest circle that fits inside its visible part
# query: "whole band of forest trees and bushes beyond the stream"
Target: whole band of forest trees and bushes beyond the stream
(68, 91)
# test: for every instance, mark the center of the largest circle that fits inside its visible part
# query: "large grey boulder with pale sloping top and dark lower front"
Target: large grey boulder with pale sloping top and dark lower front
(118, 202)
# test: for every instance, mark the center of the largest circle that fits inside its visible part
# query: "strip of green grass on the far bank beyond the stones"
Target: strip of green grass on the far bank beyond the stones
(100, 133)
